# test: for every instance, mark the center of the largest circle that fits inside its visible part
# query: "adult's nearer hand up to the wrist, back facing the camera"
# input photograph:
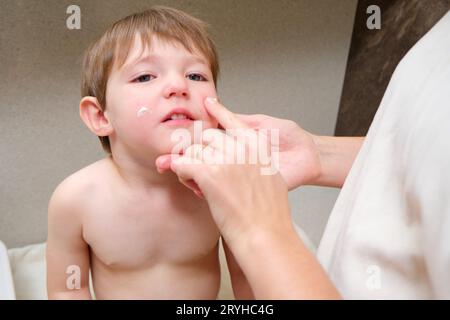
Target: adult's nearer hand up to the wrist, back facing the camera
(241, 197)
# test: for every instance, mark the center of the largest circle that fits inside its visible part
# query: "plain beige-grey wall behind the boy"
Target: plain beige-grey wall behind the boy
(279, 57)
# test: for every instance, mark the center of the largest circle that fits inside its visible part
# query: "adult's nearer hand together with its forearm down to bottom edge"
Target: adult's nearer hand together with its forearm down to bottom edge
(252, 213)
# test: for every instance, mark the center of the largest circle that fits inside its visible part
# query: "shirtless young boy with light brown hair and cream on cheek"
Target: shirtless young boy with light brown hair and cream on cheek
(143, 235)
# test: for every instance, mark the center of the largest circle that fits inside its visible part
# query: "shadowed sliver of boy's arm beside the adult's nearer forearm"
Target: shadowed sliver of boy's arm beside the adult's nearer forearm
(241, 287)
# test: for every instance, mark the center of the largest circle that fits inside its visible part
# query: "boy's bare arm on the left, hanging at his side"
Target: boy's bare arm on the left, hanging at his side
(67, 253)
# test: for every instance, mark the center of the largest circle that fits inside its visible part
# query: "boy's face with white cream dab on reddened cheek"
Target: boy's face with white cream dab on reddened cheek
(157, 92)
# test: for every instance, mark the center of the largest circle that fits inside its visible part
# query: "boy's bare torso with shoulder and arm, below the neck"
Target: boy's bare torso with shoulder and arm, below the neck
(146, 244)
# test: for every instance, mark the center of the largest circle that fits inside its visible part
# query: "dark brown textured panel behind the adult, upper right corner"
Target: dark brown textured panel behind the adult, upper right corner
(374, 54)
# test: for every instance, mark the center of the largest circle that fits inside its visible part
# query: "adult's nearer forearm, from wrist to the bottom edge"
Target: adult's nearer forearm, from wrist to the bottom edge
(281, 267)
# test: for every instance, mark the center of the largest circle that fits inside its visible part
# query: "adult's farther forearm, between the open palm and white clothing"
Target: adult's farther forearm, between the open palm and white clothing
(337, 155)
